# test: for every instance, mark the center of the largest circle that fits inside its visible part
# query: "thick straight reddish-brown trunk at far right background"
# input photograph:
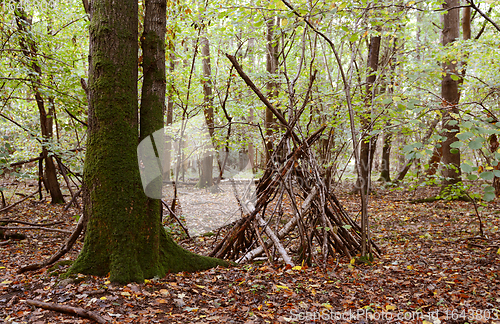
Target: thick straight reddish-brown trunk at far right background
(450, 96)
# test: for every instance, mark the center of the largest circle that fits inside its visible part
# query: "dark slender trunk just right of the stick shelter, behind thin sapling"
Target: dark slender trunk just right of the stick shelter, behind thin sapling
(368, 144)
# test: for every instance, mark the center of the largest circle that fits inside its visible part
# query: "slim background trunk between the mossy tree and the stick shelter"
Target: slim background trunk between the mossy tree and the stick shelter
(207, 162)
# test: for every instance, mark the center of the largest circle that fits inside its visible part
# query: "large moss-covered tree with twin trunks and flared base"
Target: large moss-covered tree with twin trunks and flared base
(125, 237)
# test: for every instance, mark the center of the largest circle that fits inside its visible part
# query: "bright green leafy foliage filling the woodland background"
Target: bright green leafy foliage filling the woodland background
(406, 94)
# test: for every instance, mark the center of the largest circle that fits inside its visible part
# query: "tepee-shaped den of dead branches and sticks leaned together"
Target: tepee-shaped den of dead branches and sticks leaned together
(321, 220)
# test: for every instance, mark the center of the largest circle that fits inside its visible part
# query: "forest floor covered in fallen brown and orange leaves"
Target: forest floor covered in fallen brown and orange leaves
(434, 269)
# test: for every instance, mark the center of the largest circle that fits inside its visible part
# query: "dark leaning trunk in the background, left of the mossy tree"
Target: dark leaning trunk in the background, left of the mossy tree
(29, 48)
